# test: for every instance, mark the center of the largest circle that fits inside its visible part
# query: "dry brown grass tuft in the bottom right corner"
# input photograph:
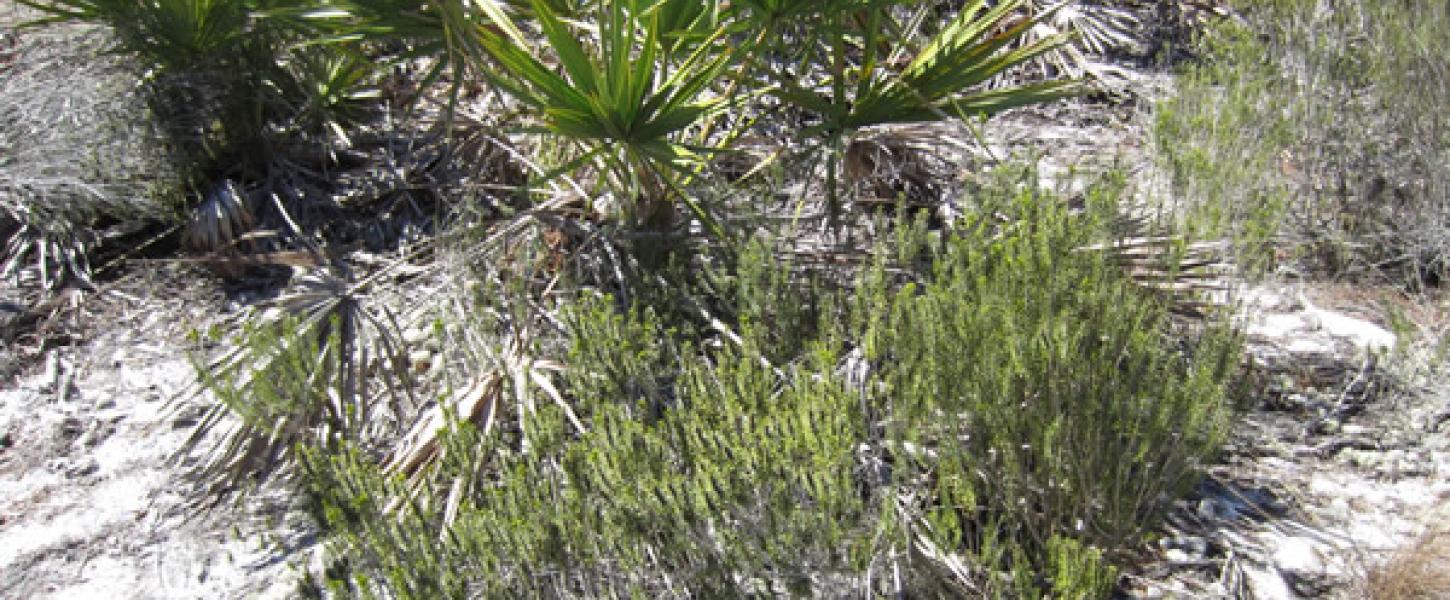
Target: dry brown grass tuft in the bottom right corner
(1417, 572)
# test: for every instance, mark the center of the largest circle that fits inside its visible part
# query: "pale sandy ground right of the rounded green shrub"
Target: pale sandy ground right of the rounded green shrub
(1339, 464)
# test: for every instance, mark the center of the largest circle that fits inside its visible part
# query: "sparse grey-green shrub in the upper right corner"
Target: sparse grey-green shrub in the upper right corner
(1327, 121)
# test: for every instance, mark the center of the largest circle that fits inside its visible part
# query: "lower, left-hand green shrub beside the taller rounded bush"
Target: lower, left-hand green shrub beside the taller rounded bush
(742, 485)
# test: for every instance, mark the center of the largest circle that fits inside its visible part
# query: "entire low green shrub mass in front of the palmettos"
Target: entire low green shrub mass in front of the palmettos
(1026, 411)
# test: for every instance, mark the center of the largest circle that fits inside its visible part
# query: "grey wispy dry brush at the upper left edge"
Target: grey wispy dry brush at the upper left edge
(76, 150)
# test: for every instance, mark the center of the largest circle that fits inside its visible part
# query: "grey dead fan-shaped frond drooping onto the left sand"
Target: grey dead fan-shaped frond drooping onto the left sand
(301, 373)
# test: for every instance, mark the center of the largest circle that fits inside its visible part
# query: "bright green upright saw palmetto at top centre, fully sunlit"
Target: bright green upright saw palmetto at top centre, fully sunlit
(626, 96)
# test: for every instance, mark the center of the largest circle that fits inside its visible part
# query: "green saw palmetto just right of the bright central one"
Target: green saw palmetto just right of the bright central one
(875, 73)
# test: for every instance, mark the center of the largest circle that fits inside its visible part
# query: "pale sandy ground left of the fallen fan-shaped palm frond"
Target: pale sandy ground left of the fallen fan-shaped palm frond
(92, 504)
